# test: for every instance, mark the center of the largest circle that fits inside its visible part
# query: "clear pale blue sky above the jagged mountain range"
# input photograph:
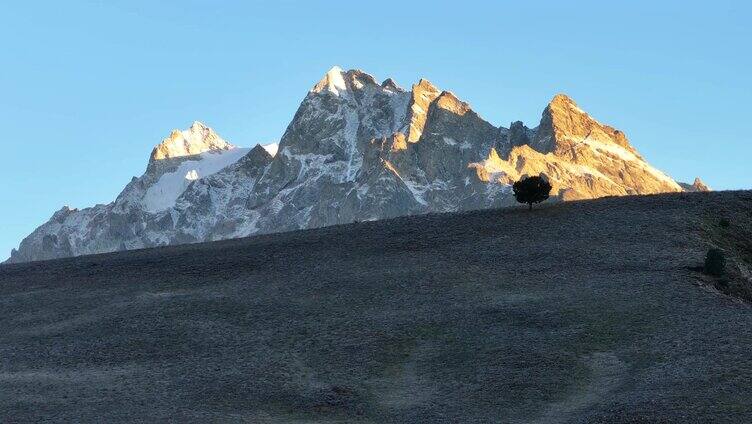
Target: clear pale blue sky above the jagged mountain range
(87, 88)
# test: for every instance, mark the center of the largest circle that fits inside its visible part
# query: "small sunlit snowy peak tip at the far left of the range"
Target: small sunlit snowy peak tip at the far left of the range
(195, 140)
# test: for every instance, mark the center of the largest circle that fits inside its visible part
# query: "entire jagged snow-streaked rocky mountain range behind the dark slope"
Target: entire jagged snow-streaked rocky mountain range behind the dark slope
(356, 149)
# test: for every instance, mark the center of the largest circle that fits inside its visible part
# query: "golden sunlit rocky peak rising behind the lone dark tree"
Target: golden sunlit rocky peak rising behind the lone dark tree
(581, 157)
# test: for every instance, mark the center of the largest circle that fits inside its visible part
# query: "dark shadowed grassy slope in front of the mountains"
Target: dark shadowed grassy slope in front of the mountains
(577, 312)
